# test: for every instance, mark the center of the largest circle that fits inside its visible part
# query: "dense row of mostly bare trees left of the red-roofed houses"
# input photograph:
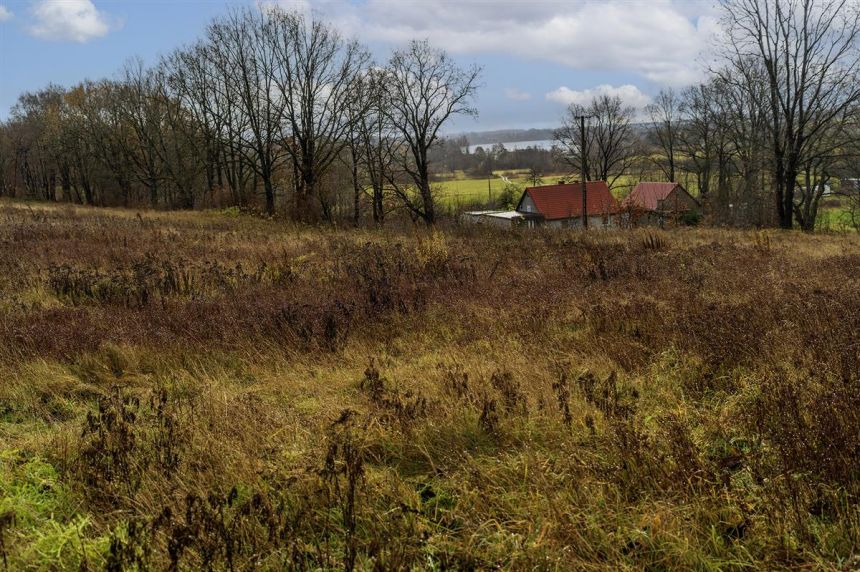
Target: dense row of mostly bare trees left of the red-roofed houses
(268, 108)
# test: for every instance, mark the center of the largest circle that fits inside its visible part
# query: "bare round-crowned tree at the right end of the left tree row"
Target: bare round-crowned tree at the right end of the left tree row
(424, 89)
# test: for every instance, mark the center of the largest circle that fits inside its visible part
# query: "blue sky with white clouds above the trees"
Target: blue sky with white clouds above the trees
(537, 56)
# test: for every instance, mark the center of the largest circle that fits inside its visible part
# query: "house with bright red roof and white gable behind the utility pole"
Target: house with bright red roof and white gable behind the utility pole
(561, 205)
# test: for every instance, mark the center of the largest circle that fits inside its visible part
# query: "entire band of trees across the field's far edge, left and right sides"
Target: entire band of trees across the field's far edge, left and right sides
(274, 110)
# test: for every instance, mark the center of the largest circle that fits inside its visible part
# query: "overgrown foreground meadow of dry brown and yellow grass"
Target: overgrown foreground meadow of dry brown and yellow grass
(191, 391)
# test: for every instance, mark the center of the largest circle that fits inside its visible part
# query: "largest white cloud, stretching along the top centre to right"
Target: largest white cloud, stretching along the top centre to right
(659, 40)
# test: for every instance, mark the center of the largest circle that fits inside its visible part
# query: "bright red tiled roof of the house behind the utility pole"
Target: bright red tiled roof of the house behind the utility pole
(565, 200)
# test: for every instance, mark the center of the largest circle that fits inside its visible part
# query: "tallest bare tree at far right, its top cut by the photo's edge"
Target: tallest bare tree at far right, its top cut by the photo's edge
(809, 51)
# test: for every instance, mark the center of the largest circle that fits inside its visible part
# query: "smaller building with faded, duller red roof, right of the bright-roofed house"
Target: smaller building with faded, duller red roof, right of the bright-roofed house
(656, 203)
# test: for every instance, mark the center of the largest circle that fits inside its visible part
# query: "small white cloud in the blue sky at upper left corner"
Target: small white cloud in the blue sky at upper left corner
(69, 20)
